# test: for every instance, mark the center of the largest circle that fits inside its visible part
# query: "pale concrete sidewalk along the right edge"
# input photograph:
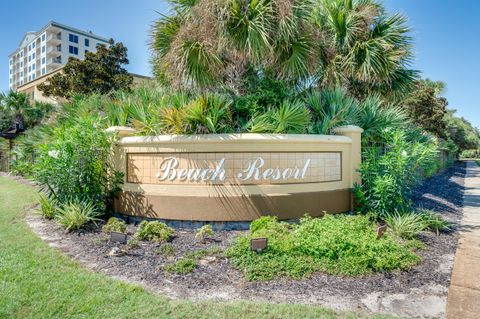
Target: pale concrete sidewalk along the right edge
(464, 292)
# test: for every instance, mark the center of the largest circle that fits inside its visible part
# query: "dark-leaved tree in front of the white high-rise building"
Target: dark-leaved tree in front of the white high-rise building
(100, 72)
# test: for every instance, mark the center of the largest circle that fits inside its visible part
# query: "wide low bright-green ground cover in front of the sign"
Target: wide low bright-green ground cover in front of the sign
(345, 245)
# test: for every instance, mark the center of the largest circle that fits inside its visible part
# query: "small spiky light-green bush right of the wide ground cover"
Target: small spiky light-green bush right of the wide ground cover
(405, 225)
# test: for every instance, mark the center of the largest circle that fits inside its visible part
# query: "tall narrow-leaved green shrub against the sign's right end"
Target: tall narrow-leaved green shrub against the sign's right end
(389, 173)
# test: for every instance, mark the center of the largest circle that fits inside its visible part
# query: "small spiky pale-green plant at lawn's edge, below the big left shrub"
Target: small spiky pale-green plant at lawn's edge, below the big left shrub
(75, 214)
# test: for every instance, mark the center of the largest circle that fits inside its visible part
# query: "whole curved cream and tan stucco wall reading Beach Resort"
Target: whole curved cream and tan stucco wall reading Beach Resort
(237, 177)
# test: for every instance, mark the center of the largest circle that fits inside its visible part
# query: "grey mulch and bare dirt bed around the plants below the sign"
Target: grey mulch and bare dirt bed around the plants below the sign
(418, 292)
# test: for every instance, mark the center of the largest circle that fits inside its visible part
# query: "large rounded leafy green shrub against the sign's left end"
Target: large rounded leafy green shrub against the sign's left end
(76, 164)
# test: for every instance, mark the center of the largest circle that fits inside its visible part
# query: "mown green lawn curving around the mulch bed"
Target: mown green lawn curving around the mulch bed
(37, 281)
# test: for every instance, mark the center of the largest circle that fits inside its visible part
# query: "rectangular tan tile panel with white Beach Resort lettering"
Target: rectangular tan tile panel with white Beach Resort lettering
(241, 168)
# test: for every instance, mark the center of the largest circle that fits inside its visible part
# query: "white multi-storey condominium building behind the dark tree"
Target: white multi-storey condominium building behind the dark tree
(47, 50)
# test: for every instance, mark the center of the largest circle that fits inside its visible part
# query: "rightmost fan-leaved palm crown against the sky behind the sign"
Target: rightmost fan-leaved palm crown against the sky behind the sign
(372, 50)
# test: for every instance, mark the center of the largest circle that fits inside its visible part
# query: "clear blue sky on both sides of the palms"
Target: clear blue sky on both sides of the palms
(446, 35)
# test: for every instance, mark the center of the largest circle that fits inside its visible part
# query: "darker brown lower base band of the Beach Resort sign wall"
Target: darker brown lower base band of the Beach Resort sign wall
(233, 208)
